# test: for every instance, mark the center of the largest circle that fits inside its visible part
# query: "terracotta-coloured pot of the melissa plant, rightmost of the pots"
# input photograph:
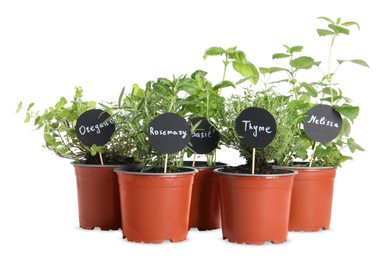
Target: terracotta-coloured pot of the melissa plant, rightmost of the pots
(312, 195)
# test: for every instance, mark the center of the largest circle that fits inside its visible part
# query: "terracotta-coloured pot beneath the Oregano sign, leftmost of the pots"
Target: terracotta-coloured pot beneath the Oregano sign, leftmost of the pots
(98, 197)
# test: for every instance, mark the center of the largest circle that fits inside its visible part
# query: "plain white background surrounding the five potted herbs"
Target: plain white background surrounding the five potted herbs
(49, 47)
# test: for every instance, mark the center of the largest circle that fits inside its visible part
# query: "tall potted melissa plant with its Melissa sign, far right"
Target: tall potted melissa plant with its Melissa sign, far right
(323, 140)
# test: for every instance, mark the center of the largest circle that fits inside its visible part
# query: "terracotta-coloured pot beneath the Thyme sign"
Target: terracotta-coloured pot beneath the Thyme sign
(255, 208)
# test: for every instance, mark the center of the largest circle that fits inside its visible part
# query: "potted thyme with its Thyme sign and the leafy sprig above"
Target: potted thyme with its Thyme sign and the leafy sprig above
(255, 197)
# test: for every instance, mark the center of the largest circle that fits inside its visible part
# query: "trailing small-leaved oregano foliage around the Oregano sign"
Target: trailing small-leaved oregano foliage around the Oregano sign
(58, 125)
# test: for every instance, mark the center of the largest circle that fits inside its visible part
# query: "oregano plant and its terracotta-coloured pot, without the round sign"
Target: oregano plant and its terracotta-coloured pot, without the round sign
(97, 186)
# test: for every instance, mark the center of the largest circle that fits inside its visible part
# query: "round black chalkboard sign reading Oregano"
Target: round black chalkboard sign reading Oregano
(92, 127)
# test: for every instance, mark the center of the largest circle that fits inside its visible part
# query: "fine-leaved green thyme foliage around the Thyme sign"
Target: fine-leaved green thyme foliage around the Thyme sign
(281, 109)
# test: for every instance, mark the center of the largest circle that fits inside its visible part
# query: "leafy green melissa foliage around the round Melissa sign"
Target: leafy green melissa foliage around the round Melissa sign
(324, 89)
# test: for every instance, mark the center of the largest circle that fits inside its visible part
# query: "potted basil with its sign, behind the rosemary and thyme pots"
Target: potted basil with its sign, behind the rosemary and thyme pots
(204, 102)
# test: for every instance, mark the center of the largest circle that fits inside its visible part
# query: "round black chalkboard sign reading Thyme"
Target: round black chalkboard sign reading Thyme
(256, 126)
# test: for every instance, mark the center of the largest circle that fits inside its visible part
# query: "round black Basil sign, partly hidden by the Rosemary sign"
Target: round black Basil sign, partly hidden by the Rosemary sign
(205, 138)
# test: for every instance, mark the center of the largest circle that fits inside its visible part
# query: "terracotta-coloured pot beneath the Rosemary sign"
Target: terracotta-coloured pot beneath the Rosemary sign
(155, 206)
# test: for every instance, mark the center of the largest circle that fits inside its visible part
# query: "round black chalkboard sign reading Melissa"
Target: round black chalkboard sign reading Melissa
(322, 123)
